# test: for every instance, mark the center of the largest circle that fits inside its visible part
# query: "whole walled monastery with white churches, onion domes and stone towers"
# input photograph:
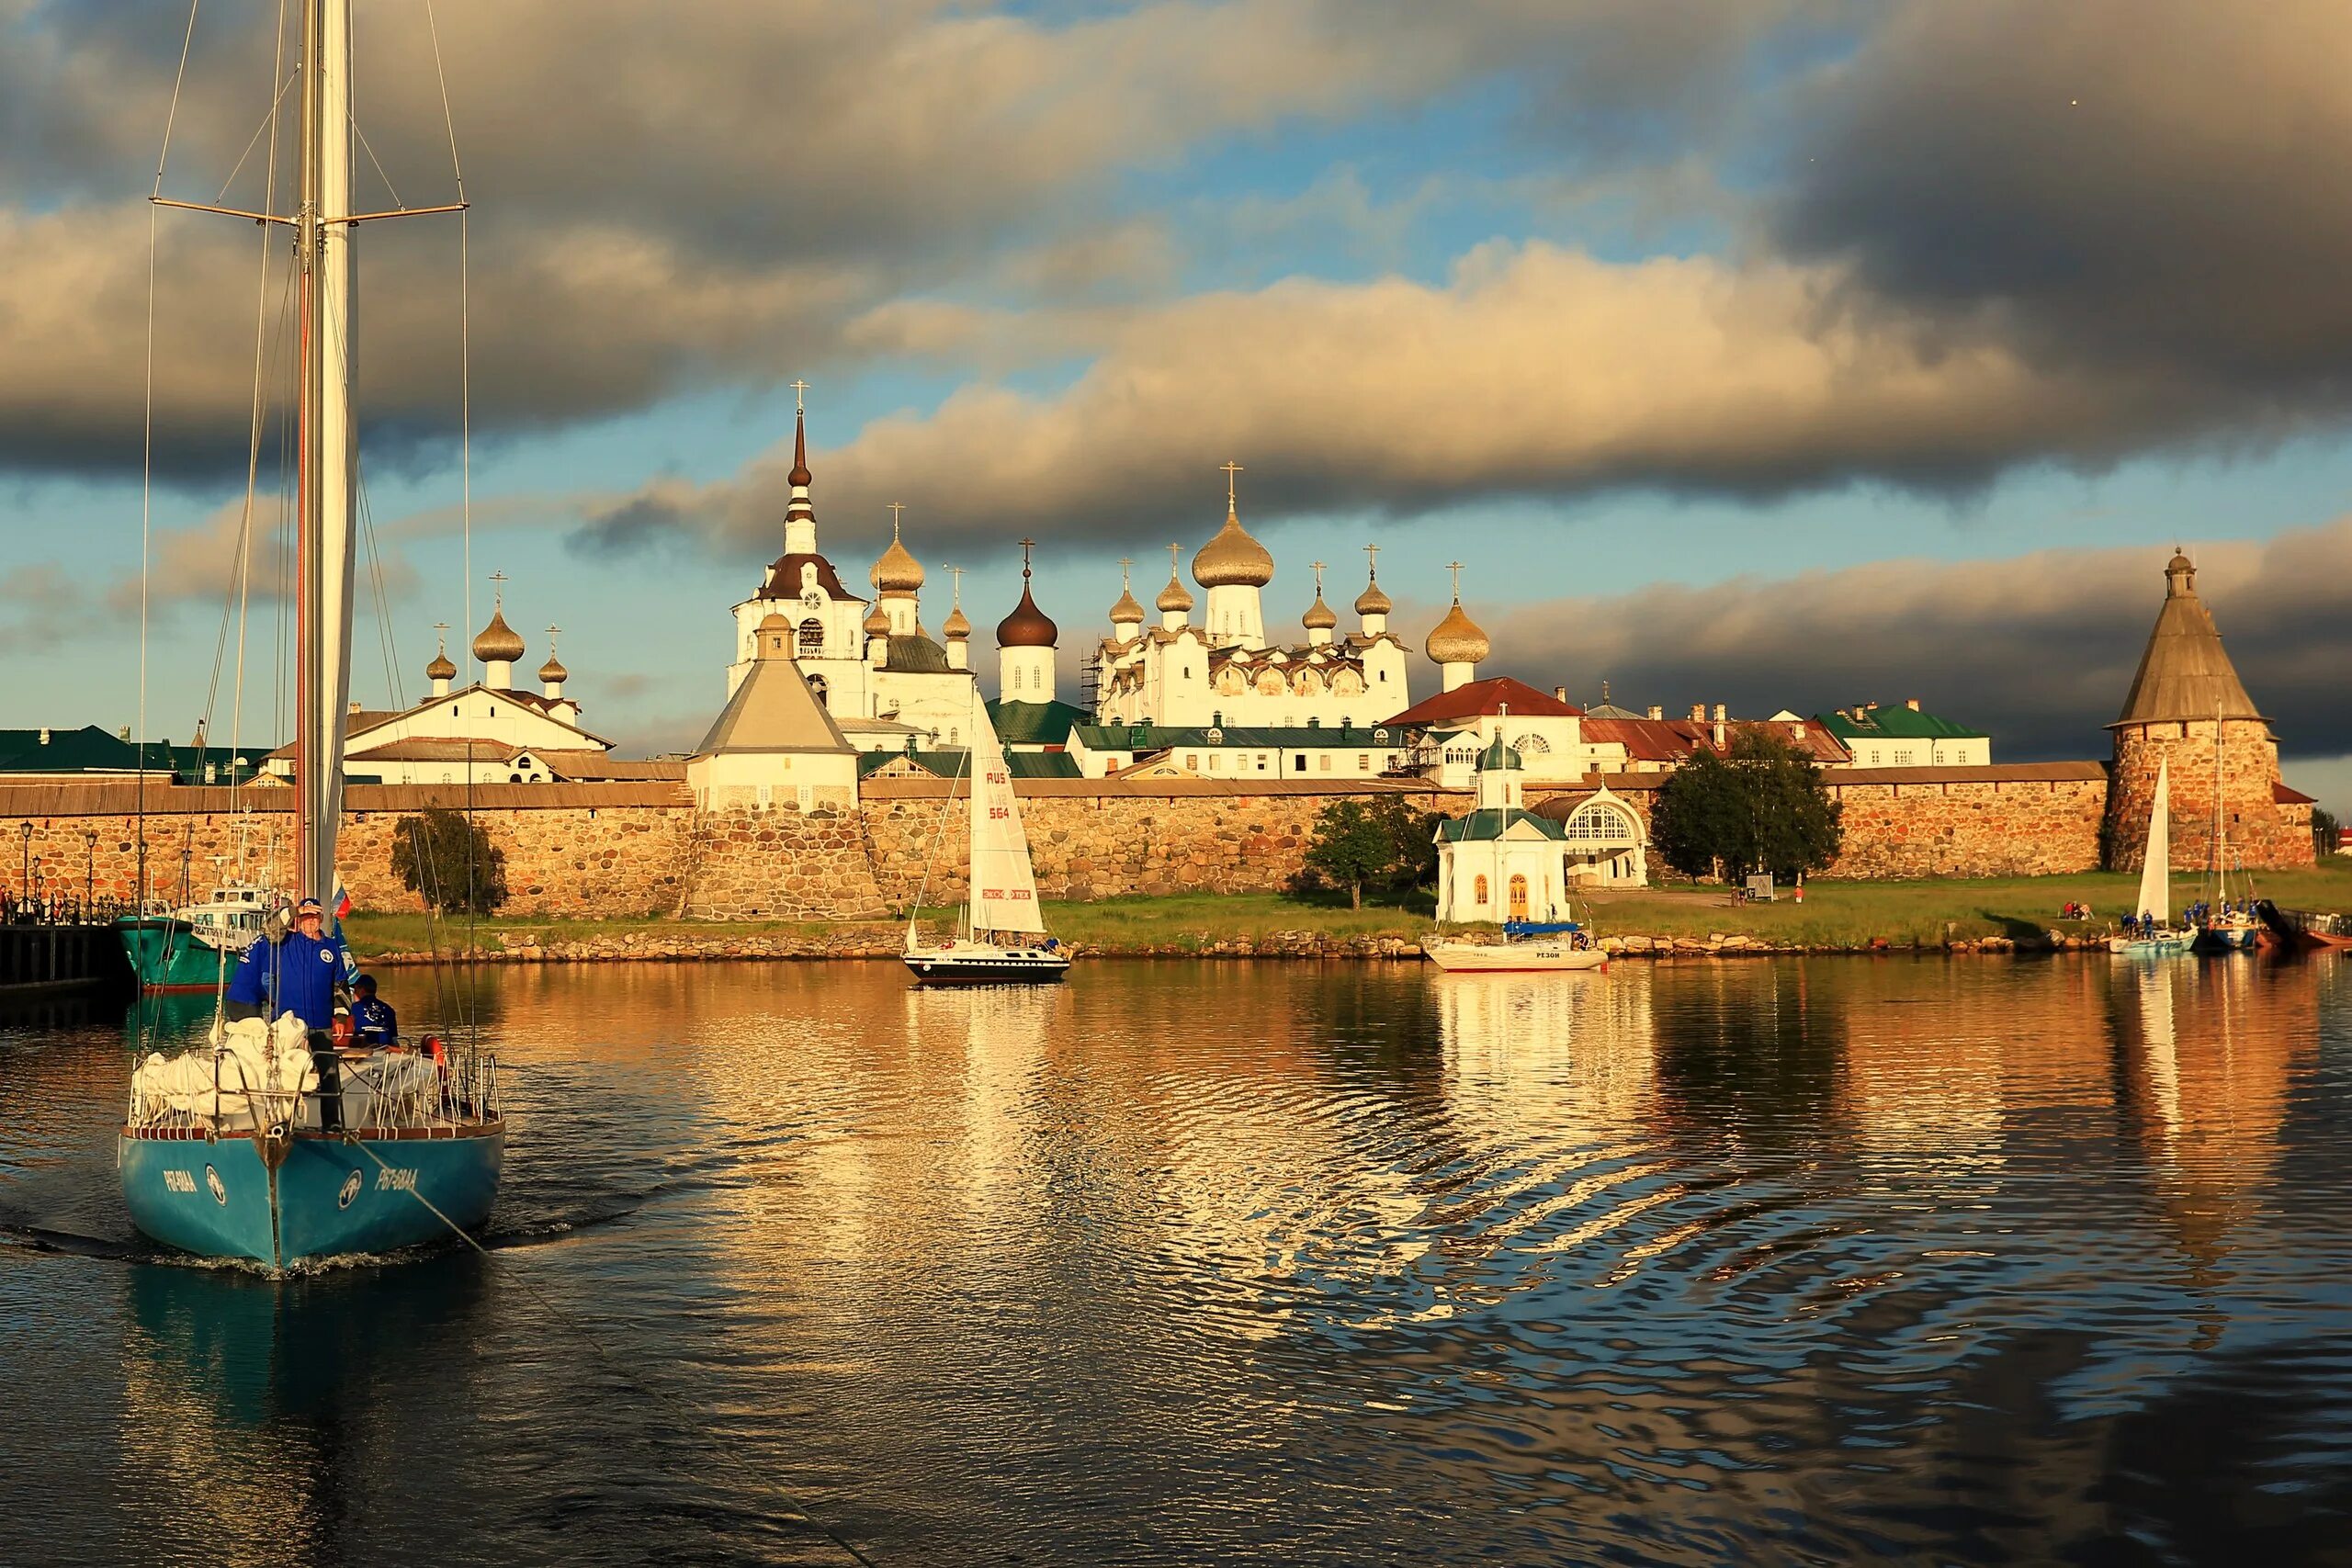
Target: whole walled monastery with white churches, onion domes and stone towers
(1196, 756)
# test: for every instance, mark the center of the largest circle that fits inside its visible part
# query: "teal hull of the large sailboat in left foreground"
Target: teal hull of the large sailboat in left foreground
(328, 1198)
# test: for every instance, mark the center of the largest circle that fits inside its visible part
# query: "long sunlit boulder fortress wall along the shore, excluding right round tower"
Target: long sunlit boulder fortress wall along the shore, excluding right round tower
(646, 850)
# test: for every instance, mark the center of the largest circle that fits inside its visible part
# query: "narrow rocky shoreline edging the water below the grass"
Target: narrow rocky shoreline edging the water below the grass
(888, 944)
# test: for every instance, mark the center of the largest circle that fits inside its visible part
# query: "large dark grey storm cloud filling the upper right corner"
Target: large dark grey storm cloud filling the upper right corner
(2149, 187)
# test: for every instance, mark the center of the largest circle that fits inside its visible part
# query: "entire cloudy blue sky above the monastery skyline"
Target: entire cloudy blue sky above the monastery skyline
(1777, 354)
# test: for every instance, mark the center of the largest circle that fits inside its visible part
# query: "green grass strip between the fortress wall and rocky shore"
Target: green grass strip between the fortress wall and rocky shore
(1833, 913)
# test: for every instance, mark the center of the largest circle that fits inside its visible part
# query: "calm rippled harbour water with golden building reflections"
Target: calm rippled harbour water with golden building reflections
(1803, 1261)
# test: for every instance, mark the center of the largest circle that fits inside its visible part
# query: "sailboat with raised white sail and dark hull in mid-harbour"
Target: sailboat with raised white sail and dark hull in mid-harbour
(1001, 916)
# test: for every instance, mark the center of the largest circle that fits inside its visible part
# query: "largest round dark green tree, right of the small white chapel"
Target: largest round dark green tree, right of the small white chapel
(1760, 808)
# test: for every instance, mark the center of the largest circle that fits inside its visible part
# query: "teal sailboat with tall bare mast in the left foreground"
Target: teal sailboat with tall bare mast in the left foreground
(269, 1144)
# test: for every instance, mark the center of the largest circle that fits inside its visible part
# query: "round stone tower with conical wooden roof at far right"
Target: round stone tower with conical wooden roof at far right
(2189, 709)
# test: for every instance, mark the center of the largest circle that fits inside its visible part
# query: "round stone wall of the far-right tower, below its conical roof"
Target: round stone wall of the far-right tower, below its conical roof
(2261, 831)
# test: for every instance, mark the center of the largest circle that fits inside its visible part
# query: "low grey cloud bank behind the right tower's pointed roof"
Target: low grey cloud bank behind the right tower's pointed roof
(2036, 650)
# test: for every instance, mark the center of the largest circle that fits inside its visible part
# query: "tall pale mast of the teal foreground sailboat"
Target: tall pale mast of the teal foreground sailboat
(328, 438)
